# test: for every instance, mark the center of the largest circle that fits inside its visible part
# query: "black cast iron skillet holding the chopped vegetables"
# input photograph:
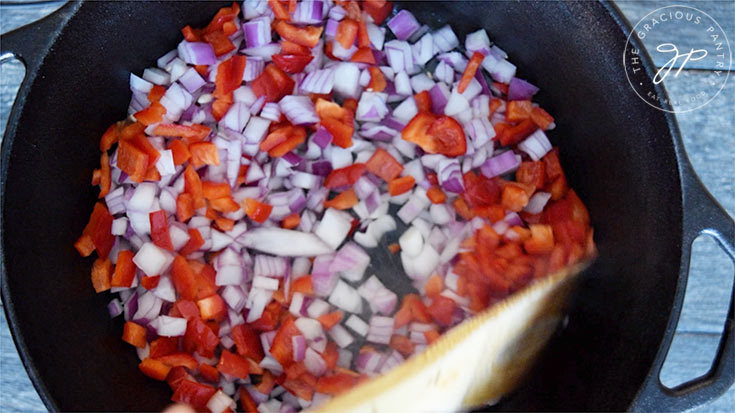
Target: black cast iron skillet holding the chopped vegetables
(625, 159)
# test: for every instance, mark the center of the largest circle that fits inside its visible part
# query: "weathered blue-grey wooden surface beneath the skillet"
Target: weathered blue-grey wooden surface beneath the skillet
(710, 142)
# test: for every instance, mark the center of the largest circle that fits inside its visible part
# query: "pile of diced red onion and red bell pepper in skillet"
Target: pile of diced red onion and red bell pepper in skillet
(242, 199)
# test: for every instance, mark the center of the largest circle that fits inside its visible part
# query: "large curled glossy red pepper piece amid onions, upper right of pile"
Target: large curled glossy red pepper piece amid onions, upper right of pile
(436, 134)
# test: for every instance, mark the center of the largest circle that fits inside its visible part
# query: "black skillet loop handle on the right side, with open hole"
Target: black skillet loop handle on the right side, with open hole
(702, 215)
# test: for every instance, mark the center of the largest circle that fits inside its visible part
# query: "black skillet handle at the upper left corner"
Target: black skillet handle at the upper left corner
(31, 43)
